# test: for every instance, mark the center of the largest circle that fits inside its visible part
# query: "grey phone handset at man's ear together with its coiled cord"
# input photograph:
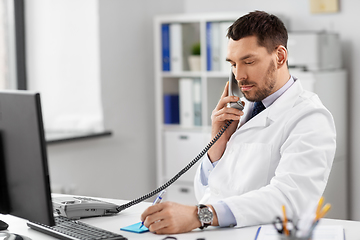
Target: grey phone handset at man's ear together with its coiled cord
(239, 106)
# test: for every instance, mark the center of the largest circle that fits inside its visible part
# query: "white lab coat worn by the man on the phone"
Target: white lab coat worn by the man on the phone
(283, 156)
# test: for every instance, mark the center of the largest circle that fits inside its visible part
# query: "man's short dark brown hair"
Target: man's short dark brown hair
(269, 29)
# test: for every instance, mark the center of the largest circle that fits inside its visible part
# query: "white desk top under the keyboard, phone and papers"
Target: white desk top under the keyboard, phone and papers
(132, 215)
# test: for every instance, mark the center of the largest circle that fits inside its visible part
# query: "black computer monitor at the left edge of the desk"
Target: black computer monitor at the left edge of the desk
(25, 185)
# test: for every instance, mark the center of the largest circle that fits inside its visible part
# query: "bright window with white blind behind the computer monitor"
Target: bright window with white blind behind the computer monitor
(52, 47)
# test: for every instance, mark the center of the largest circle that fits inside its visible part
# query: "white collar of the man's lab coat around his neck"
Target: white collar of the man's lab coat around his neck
(272, 113)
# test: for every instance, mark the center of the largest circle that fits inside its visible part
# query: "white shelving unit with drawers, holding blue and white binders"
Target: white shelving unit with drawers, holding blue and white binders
(178, 145)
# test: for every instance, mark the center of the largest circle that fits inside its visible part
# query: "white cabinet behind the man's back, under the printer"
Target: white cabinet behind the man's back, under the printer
(331, 87)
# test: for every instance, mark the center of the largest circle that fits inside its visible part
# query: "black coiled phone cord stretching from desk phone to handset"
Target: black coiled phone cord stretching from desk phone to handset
(184, 170)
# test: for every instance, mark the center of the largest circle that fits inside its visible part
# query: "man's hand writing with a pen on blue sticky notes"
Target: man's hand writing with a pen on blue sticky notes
(170, 218)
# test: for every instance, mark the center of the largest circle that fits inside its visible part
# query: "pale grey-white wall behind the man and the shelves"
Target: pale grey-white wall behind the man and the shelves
(123, 165)
